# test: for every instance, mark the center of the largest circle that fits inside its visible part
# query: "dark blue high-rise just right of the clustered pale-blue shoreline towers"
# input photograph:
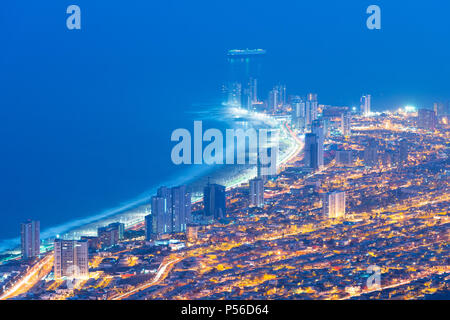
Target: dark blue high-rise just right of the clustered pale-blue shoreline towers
(214, 200)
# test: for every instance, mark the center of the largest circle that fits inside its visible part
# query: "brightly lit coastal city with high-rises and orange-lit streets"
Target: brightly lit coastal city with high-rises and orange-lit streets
(366, 148)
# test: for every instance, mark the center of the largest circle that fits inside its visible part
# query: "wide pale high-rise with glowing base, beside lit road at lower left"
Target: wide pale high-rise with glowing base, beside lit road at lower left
(71, 259)
